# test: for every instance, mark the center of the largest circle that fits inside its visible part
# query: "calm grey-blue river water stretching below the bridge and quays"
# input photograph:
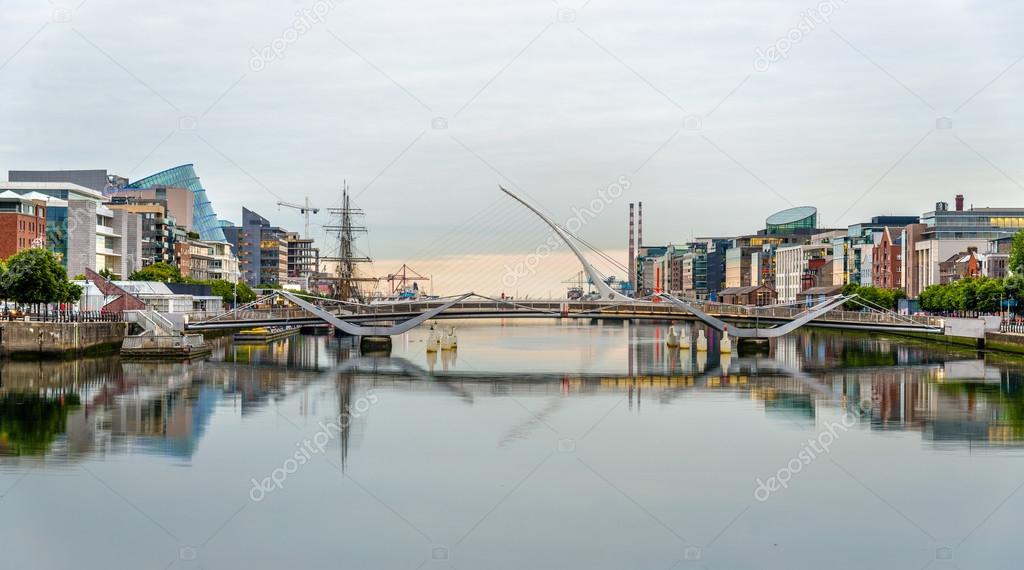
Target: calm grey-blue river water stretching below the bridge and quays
(537, 446)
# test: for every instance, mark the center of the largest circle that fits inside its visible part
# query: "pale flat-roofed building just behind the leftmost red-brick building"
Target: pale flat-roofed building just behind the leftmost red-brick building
(82, 231)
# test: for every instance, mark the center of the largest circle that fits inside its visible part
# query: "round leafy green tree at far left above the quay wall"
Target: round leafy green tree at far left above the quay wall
(35, 276)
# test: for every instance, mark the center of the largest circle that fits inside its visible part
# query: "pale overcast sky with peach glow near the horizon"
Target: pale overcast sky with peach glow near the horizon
(713, 114)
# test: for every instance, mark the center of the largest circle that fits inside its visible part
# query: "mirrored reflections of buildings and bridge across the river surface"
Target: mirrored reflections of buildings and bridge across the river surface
(102, 407)
